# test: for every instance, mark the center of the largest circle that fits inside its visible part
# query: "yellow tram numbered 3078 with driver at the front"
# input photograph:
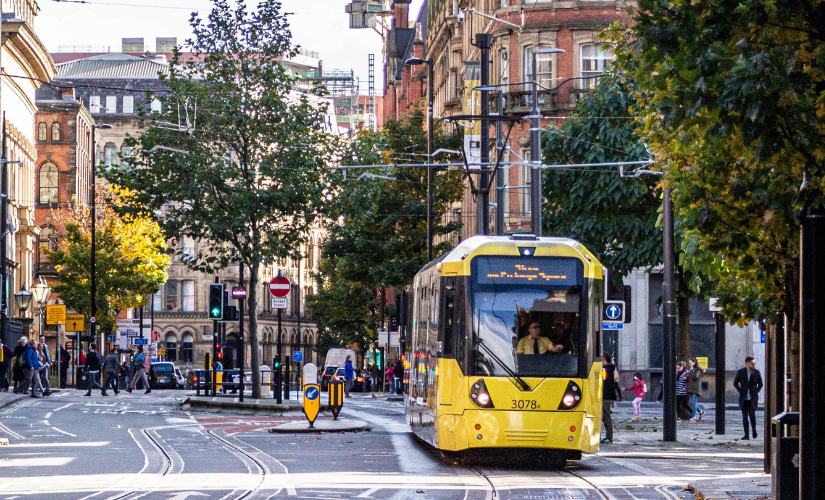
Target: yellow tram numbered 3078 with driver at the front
(475, 381)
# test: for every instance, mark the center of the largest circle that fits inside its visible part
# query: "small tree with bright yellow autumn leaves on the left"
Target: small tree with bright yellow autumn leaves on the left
(131, 261)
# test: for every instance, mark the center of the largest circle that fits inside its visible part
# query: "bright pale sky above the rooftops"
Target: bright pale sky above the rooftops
(317, 25)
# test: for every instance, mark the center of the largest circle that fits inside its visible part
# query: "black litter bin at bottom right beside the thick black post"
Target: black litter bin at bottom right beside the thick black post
(785, 457)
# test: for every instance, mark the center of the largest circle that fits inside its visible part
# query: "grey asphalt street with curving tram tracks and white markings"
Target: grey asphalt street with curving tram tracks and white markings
(134, 446)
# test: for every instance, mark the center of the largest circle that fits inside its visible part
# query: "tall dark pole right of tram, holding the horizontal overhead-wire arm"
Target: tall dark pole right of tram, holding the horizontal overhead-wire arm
(668, 325)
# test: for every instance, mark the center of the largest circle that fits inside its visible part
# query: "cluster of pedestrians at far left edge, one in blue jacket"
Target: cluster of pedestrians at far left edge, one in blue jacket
(29, 365)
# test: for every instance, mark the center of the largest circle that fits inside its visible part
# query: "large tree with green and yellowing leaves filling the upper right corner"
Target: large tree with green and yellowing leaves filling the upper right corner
(733, 94)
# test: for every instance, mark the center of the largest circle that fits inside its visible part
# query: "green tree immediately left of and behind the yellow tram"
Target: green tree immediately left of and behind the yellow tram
(378, 234)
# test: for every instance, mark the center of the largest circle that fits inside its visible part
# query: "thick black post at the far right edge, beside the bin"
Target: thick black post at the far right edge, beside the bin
(812, 348)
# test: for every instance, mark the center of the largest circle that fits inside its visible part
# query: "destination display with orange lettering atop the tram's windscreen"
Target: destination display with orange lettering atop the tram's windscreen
(519, 270)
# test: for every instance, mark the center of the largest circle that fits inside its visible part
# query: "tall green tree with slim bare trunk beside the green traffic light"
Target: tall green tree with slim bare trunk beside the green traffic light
(242, 169)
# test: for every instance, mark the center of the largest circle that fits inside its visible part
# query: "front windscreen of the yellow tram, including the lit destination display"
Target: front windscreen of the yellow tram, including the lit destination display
(527, 315)
